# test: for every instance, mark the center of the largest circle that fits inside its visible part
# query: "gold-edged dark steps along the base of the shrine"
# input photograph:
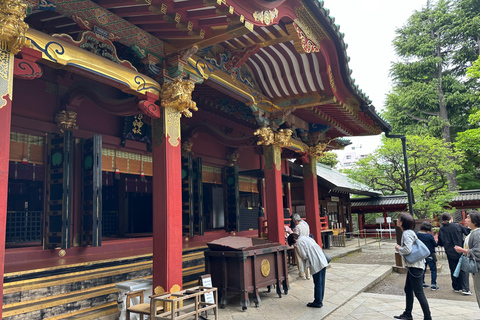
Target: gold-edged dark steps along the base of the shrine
(83, 291)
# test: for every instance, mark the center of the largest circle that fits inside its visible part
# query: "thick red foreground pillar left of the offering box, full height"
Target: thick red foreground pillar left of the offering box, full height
(167, 202)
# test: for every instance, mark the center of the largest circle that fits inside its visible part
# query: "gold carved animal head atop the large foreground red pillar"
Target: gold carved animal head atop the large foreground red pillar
(178, 95)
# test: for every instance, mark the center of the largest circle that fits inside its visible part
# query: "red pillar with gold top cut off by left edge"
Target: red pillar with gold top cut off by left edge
(6, 86)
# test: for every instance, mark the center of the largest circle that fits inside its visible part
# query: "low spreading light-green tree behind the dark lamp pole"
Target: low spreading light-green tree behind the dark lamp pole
(430, 160)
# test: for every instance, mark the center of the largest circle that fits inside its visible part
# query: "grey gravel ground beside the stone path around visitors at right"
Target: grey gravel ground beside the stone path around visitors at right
(384, 253)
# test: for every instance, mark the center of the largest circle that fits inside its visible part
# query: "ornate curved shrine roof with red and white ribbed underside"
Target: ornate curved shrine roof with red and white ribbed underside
(287, 58)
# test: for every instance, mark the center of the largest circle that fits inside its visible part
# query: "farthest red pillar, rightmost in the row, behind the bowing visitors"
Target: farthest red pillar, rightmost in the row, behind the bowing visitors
(310, 189)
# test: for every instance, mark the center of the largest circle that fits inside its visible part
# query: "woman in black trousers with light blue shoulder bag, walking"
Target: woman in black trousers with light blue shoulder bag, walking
(413, 282)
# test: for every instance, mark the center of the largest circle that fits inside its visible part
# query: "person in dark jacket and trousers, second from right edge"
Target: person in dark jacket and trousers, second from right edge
(451, 235)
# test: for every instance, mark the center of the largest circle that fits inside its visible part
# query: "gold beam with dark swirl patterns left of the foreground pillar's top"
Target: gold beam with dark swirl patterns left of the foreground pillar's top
(60, 53)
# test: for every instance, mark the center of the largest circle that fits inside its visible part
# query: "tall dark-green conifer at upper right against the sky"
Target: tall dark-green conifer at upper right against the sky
(430, 96)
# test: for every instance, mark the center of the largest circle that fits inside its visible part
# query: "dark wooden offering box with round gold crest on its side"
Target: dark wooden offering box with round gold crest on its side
(244, 265)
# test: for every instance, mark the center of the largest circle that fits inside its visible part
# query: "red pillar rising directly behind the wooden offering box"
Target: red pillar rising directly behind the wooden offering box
(273, 192)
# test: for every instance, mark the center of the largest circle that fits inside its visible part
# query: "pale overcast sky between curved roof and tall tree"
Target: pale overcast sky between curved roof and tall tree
(369, 27)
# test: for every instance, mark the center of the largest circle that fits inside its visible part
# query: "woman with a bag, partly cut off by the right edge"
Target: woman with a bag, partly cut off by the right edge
(472, 247)
